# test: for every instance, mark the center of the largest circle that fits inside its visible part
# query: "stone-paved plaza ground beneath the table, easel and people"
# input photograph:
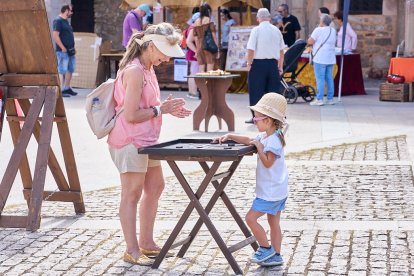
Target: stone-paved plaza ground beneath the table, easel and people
(350, 209)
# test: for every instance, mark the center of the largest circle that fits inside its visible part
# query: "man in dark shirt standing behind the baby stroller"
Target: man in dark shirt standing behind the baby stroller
(291, 27)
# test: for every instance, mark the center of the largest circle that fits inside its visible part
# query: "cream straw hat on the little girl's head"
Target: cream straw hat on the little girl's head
(273, 105)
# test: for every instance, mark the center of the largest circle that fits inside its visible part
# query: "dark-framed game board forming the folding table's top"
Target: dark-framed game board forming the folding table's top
(198, 147)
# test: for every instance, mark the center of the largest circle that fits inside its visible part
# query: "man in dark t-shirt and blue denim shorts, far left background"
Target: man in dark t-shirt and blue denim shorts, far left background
(65, 49)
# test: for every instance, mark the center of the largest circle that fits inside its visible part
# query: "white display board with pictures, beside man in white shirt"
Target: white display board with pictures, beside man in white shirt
(237, 51)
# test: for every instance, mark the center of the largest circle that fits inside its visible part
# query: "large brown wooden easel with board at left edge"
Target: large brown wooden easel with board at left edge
(29, 68)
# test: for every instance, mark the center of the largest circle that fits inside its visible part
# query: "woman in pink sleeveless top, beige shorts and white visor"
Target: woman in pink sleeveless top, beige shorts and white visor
(138, 101)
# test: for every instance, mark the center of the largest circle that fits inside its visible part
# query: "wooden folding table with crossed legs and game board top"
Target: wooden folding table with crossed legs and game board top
(202, 151)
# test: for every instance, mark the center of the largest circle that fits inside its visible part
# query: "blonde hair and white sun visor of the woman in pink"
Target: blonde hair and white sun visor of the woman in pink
(134, 50)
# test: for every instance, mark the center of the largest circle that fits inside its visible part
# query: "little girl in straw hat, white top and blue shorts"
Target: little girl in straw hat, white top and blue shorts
(271, 175)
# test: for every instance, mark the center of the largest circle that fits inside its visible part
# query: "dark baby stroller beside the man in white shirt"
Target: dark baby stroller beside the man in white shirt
(292, 87)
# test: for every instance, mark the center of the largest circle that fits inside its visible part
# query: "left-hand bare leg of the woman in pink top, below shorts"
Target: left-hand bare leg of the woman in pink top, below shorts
(132, 184)
